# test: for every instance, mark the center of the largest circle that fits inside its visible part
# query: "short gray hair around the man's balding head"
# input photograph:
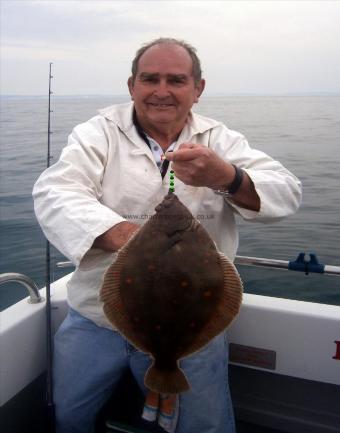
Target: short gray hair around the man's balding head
(196, 64)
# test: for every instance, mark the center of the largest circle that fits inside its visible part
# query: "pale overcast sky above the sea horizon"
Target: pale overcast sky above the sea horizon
(246, 47)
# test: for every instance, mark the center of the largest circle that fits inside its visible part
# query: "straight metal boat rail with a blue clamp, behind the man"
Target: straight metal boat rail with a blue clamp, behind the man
(300, 264)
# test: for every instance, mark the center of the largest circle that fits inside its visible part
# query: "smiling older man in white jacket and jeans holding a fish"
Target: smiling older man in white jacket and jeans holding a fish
(112, 174)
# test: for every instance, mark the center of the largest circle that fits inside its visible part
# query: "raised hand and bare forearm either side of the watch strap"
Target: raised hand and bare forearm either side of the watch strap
(198, 165)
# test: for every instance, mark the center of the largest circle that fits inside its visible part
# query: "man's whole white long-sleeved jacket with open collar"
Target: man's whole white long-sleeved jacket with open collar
(107, 174)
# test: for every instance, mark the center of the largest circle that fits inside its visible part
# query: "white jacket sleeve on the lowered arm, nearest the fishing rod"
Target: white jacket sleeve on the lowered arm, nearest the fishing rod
(67, 195)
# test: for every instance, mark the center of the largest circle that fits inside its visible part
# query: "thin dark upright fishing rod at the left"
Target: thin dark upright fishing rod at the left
(49, 345)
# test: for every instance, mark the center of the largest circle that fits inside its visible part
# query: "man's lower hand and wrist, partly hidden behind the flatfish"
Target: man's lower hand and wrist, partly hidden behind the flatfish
(116, 237)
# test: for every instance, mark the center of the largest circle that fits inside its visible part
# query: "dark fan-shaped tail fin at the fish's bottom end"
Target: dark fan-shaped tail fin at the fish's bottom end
(166, 381)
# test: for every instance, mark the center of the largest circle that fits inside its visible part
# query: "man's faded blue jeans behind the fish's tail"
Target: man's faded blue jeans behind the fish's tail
(89, 361)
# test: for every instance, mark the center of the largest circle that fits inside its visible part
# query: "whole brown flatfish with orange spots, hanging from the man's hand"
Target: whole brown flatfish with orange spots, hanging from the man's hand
(170, 291)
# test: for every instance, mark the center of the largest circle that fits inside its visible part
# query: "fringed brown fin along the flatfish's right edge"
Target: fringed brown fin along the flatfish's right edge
(227, 308)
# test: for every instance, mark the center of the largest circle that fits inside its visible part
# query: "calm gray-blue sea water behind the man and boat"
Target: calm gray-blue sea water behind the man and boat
(303, 133)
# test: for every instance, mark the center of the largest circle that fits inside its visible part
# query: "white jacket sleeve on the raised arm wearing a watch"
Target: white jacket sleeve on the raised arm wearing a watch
(279, 190)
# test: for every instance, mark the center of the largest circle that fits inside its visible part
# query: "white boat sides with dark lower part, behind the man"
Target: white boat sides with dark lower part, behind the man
(285, 363)
